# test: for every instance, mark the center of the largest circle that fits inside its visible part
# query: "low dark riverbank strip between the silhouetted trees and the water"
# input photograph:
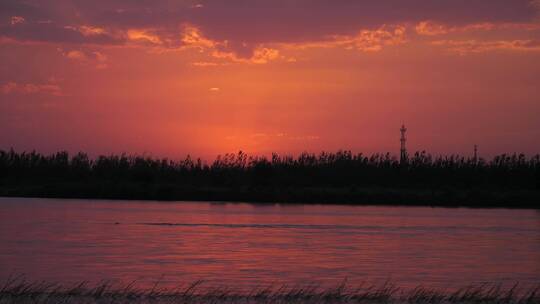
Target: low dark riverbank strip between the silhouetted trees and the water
(449, 197)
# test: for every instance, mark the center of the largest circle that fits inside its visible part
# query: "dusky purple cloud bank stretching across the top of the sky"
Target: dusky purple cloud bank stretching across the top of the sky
(242, 22)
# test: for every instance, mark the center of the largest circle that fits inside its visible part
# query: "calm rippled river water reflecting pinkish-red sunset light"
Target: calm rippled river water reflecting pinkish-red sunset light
(244, 245)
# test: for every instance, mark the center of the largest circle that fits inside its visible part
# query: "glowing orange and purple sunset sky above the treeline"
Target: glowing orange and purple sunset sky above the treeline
(207, 77)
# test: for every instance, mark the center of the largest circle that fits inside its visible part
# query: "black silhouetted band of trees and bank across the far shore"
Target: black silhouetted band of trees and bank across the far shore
(511, 181)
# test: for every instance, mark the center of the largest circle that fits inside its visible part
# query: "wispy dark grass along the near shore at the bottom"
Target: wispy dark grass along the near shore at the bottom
(20, 291)
